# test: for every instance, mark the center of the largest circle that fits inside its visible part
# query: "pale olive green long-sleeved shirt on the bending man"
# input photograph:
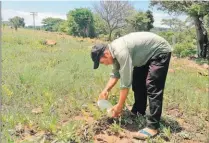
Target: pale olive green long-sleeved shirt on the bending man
(134, 50)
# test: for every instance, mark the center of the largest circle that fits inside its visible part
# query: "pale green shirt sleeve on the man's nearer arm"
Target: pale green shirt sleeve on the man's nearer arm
(126, 69)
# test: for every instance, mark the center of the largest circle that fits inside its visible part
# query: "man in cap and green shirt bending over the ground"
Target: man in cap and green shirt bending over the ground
(140, 59)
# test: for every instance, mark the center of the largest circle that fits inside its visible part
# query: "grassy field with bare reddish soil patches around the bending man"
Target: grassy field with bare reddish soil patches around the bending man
(49, 94)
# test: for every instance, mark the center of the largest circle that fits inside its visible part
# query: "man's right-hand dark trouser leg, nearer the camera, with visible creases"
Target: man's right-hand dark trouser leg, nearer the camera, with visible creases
(155, 83)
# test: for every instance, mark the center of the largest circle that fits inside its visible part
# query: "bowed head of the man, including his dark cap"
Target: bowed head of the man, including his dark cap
(101, 54)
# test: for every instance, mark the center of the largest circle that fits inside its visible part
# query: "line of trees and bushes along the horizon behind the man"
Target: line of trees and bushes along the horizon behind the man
(111, 19)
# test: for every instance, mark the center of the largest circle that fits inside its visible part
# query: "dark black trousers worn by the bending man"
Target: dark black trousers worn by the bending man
(149, 81)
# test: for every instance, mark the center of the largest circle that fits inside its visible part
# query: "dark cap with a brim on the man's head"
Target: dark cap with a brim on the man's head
(96, 53)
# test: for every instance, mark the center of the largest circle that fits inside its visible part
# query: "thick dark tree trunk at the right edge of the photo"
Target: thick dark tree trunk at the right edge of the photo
(202, 38)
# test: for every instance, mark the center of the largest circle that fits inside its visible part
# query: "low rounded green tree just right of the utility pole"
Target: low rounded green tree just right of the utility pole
(52, 24)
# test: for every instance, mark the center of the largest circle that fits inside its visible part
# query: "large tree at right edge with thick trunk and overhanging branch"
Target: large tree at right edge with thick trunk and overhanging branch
(197, 10)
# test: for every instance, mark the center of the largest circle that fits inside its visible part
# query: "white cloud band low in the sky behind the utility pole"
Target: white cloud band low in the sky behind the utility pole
(9, 13)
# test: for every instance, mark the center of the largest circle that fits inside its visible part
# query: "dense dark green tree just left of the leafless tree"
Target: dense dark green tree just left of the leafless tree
(81, 22)
